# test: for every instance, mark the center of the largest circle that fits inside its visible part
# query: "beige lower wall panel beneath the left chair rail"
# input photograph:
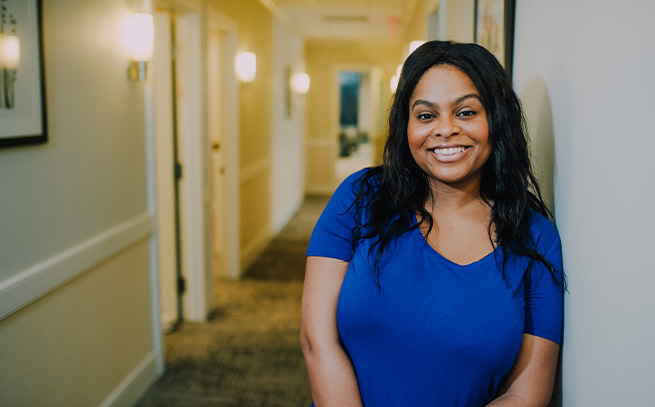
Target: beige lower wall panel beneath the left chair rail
(76, 345)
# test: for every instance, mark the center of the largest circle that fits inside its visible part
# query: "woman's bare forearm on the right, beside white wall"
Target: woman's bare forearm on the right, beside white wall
(530, 382)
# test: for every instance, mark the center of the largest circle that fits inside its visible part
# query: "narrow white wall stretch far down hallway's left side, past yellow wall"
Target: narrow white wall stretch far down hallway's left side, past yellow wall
(288, 166)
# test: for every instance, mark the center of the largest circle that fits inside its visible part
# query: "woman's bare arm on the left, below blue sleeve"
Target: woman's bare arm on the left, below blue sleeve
(331, 374)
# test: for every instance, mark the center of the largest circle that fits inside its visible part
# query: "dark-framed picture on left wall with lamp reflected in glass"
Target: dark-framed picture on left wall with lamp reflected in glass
(22, 98)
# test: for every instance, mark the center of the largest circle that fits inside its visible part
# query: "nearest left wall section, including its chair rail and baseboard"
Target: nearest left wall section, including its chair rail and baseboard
(74, 285)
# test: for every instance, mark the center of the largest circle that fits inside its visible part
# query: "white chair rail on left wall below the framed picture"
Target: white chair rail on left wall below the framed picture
(29, 285)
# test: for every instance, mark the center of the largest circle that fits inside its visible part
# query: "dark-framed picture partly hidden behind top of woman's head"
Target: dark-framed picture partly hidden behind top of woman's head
(494, 29)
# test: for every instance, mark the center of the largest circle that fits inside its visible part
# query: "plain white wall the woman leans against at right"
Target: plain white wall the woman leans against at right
(585, 72)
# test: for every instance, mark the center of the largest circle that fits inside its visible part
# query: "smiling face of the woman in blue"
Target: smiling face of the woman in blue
(448, 133)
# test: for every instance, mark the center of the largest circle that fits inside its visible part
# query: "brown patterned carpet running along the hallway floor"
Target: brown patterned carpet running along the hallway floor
(247, 354)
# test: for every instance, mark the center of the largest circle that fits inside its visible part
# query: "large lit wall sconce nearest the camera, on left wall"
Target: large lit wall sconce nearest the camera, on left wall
(139, 37)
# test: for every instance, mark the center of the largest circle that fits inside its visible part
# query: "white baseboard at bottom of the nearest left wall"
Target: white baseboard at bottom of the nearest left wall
(135, 384)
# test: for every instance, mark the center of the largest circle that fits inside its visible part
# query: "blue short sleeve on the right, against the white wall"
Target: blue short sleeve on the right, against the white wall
(544, 296)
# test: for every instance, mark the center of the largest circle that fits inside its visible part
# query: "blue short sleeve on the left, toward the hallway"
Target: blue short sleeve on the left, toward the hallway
(332, 234)
